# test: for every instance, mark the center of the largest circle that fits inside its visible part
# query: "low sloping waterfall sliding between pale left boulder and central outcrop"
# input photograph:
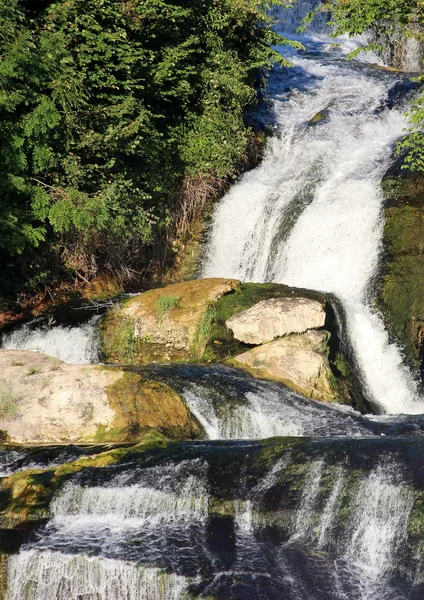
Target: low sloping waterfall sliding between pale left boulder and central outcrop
(232, 405)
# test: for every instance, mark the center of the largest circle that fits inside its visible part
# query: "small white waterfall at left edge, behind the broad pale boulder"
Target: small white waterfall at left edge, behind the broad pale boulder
(75, 345)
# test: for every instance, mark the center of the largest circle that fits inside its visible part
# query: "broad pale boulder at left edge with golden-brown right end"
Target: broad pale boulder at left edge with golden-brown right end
(43, 400)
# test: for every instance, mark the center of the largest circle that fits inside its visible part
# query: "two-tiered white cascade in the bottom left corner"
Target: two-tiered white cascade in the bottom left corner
(117, 519)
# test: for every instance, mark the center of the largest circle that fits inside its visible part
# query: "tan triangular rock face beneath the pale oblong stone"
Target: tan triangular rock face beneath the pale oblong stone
(300, 361)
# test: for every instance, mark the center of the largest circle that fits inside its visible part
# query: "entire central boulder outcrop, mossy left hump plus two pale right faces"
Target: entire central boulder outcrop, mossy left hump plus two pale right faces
(216, 320)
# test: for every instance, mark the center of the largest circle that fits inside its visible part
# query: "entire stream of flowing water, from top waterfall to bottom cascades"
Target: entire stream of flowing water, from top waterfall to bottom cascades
(285, 498)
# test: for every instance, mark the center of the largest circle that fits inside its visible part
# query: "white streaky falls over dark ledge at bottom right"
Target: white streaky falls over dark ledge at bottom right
(377, 512)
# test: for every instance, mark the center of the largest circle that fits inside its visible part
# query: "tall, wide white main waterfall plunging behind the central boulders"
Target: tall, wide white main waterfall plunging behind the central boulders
(311, 214)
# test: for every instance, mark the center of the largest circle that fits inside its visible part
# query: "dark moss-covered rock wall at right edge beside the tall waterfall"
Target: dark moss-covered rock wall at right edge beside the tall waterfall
(401, 285)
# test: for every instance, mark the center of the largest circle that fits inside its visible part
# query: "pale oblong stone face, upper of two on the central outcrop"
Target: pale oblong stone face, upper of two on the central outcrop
(275, 318)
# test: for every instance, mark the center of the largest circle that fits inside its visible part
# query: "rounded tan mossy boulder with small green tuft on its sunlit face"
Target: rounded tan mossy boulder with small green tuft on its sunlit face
(163, 324)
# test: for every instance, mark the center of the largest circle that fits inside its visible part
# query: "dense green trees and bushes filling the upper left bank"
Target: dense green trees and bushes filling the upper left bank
(117, 117)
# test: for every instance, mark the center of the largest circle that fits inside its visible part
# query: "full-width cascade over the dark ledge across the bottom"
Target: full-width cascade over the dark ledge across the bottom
(226, 522)
